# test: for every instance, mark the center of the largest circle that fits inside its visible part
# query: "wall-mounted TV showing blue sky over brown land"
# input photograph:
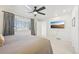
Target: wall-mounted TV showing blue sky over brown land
(56, 23)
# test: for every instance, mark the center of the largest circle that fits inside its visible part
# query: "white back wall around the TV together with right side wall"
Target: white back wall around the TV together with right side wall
(69, 33)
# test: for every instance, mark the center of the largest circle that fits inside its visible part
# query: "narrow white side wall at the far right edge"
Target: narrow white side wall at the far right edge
(75, 30)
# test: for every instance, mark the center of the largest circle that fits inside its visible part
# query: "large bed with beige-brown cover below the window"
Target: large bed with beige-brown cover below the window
(26, 45)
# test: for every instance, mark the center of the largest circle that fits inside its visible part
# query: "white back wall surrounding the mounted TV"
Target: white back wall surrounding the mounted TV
(63, 34)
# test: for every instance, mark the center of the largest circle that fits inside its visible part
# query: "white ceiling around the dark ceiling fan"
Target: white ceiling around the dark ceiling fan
(50, 11)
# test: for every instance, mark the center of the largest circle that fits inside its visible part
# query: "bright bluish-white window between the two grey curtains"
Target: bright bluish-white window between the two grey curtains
(21, 23)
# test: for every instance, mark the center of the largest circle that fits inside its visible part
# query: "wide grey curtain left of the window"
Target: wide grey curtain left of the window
(8, 24)
